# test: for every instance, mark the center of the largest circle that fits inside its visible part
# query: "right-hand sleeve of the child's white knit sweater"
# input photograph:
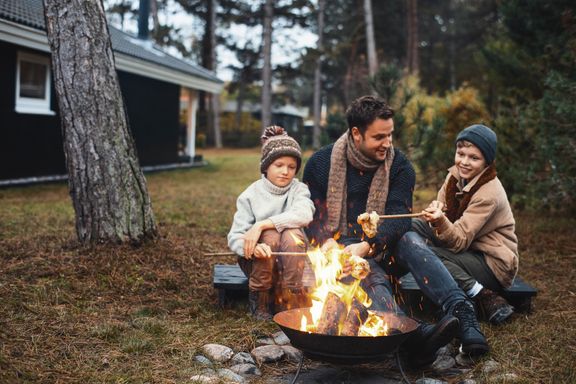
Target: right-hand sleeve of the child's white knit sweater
(298, 212)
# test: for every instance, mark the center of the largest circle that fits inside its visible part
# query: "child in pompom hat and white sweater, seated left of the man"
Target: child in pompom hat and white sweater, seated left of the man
(270, 217)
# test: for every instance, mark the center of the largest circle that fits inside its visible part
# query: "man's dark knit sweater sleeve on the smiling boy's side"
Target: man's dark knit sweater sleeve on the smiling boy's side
(399, 201)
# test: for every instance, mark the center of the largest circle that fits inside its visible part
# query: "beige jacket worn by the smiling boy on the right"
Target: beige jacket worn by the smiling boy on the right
(487, 225)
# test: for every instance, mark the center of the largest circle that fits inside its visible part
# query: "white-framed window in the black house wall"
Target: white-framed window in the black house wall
(33, 84)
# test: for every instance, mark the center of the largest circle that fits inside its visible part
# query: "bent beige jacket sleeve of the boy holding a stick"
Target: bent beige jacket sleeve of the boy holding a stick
(458, 236)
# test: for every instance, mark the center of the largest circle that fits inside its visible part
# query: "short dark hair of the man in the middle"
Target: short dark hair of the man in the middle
(364, 110)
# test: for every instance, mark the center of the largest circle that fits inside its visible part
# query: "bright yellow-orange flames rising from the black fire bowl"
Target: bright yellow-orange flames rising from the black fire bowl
(328, 269)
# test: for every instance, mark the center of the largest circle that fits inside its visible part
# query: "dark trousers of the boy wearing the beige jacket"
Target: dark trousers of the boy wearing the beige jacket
(467, 267)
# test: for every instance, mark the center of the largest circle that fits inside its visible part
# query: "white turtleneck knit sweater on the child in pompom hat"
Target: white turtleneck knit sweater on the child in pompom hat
(287, 207)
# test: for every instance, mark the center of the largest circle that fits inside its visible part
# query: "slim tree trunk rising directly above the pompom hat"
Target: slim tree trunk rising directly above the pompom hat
(267, 69)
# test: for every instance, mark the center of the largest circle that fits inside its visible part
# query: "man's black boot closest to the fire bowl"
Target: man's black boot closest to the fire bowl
(420, 349)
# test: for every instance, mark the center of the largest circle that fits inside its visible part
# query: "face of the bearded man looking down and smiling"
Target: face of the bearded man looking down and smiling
(376, 140)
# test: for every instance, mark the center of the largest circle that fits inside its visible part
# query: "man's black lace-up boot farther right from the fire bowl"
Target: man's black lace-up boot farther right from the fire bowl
(473, 340)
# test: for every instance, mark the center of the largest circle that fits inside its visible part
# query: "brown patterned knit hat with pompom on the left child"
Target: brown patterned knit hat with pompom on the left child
(276, 143)
